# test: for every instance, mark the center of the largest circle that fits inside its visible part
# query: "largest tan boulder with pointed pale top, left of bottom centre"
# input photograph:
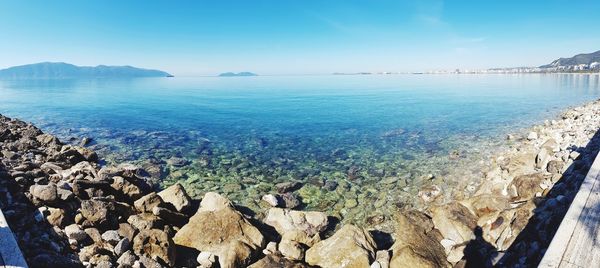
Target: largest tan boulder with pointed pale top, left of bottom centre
(220, 229)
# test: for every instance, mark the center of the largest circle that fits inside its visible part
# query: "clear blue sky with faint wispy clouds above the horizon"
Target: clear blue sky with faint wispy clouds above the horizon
(279, 37)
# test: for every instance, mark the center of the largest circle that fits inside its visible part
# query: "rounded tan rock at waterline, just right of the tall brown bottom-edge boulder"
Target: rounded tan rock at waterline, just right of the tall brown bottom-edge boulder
(454, 221)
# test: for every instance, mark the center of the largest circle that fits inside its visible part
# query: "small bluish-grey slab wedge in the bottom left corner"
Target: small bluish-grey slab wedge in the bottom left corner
(10, 253)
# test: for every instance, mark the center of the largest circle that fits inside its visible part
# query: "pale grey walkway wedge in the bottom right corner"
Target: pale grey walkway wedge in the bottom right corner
(577, 240)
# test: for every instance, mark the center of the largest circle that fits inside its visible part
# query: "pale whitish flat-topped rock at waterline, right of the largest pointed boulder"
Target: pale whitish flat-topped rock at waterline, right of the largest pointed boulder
(283, 220)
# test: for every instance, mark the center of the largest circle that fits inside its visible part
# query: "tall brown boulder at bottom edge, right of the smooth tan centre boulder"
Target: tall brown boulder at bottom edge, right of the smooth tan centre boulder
(416, 244)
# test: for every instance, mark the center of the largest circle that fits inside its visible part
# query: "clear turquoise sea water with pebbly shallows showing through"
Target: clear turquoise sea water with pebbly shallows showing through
(375, 136)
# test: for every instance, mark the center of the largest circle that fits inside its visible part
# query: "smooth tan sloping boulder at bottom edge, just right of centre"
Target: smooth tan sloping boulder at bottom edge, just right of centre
(350, 246)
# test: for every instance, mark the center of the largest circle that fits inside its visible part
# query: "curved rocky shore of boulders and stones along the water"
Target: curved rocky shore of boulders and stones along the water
(67, 210)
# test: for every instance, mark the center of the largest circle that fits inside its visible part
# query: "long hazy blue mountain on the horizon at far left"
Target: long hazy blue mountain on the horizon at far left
(65, 70)
